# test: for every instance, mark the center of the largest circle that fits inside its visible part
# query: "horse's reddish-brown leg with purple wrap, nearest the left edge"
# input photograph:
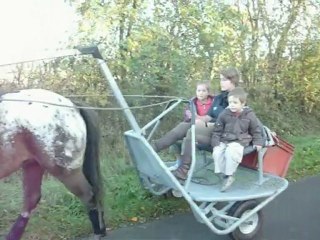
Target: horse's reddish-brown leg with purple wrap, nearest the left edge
(32, 178)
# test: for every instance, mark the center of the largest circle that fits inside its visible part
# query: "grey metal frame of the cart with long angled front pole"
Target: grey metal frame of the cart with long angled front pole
(204, 211)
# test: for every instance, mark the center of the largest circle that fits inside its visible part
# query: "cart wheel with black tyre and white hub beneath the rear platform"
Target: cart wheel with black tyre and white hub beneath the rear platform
(252, 227)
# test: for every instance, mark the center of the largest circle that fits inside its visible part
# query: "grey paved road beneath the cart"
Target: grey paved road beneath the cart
(293, 215)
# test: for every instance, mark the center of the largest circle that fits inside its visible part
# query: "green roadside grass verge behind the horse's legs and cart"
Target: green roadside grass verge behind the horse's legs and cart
(62, 216)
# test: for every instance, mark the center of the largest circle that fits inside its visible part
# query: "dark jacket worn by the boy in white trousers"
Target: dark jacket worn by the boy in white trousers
(244, 128)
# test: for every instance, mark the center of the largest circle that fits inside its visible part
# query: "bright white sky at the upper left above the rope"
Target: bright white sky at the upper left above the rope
(32, 26)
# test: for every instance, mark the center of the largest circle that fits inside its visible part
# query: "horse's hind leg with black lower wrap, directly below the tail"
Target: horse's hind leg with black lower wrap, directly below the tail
(76, 182)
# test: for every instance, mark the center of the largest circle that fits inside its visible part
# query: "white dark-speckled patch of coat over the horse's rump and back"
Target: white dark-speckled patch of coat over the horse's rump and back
(50, 124)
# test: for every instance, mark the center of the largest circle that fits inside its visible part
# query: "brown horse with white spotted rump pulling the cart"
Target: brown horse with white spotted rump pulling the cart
(44, 132)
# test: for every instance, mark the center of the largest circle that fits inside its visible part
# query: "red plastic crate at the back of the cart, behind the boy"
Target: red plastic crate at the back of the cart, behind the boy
(276, 159)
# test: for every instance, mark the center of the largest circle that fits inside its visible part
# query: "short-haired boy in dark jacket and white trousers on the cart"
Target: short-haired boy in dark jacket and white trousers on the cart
(236, 127)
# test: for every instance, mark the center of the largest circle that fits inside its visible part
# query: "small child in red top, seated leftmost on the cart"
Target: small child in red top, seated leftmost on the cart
(201, 103)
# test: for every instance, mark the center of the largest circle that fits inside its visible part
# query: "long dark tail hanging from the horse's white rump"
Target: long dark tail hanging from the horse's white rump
(91, 164)
